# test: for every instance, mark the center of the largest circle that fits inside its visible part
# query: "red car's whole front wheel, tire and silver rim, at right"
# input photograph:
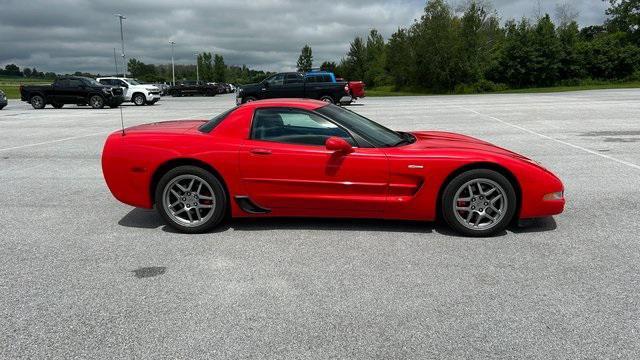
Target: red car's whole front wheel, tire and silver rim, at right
(479, 202)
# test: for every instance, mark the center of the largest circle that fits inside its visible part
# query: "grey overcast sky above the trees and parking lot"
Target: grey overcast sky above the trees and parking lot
(79, 35)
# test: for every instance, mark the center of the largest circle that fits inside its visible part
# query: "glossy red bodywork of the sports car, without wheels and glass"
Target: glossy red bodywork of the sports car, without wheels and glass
(402, 182)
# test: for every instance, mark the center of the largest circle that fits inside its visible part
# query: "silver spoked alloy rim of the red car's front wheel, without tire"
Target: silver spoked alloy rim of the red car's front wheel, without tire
(480, 204)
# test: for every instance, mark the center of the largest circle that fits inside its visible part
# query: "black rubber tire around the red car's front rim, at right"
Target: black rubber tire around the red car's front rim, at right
(458, 183)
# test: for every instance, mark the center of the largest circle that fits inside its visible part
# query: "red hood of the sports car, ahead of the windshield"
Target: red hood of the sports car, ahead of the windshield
(447, 140)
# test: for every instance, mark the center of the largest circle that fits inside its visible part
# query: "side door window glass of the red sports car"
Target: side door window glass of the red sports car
(291, 126)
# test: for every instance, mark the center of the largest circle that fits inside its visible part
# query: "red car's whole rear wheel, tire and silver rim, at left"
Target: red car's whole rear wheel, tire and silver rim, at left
(191, 199)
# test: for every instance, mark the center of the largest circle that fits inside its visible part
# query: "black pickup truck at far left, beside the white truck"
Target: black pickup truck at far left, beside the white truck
(72, 90)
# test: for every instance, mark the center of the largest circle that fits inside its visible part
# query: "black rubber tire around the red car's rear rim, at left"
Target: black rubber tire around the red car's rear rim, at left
(219, 195)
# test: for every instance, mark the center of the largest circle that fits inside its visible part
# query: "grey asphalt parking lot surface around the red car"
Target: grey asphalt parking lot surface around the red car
(84, 276)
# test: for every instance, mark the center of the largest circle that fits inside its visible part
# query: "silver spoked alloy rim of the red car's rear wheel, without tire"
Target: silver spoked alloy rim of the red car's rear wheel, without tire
(188, 200)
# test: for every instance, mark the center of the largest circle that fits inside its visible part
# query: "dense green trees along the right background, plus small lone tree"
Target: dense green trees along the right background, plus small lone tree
(469, 50)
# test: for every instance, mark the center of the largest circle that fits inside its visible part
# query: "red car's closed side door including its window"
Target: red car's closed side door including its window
(285, 165)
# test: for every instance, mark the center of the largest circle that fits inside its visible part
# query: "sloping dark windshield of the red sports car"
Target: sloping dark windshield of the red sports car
(373, 132)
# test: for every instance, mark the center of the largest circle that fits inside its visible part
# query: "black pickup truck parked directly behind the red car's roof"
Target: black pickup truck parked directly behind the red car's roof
(294, 85)
